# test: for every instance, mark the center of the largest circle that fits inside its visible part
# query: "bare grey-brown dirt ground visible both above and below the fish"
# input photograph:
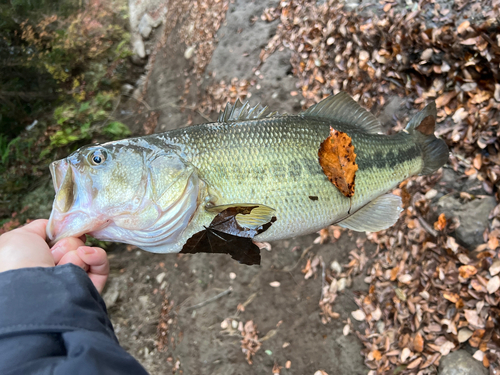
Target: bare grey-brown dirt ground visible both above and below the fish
(288, 315)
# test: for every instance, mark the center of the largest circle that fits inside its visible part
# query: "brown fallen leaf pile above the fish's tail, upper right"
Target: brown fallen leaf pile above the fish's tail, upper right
(399, 52)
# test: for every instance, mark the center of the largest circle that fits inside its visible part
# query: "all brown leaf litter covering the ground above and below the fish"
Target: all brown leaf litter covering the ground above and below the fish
(427, 294)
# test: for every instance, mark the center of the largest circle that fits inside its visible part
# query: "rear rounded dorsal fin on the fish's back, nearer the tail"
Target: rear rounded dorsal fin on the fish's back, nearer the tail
(344, 109)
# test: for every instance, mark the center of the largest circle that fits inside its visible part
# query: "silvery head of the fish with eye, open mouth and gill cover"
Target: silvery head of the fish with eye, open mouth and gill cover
(120, 192)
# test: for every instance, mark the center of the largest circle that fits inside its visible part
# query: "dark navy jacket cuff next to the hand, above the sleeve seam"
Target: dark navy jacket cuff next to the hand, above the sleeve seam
(51, 299)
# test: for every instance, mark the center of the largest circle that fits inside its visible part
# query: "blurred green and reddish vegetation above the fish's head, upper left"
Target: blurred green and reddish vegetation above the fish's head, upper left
(63, 64)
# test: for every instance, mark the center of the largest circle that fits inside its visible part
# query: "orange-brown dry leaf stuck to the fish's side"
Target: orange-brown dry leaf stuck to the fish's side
(338, 161)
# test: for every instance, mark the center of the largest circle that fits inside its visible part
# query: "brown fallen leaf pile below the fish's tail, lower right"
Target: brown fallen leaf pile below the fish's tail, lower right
(428, 295)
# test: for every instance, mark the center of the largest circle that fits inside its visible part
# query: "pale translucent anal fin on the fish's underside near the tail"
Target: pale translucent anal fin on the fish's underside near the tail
(379, 214)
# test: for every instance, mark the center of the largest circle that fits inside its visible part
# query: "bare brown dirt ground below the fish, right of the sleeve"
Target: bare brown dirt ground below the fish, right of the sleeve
(288, 315)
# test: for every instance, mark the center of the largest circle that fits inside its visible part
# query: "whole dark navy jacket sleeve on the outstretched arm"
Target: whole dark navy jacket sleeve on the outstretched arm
(53, 321)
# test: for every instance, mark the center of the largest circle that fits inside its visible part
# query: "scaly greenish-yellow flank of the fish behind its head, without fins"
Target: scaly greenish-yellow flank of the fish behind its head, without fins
(251, 162)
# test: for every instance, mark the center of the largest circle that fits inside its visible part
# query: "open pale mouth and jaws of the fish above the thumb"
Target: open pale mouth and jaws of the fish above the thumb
(67, 219)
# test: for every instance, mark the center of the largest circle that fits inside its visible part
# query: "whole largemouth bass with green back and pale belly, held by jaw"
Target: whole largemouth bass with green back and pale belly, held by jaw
(157, 191)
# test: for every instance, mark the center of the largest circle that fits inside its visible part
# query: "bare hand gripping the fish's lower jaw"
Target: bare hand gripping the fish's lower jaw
(26, 247)
